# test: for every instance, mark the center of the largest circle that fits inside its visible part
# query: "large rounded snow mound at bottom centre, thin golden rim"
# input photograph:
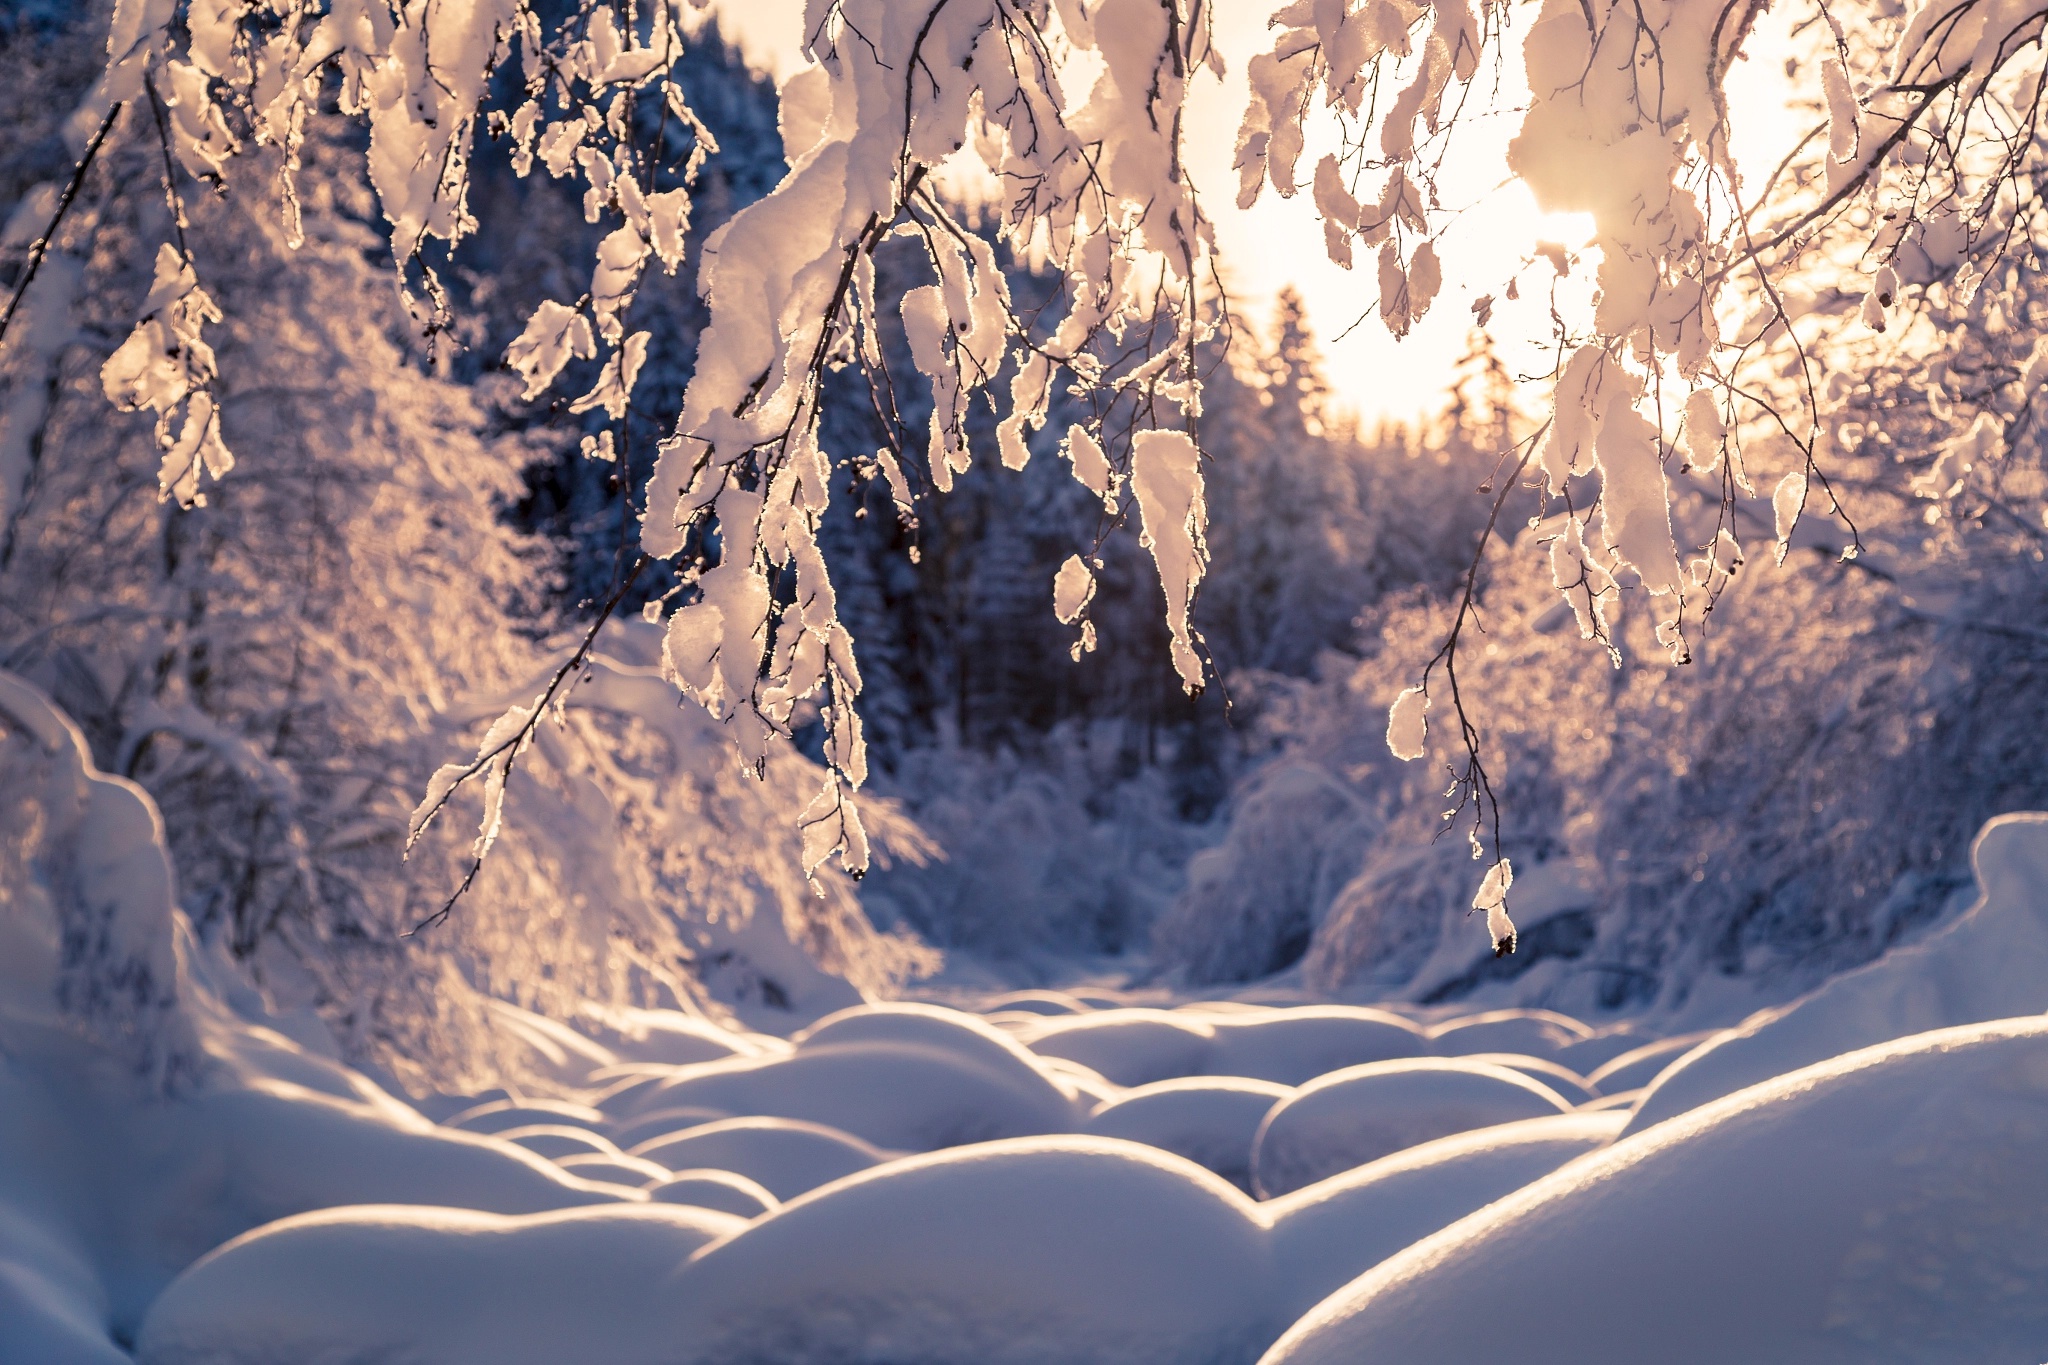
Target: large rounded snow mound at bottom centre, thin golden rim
(1011, 1253)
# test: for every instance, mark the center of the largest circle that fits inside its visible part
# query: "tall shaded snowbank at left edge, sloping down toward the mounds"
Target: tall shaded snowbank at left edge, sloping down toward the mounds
(146, 1108)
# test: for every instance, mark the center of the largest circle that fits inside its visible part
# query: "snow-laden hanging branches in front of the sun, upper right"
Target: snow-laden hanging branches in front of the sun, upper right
(1701, 320)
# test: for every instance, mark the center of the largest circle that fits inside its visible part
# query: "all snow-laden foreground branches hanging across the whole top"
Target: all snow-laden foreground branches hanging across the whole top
(1695, 335)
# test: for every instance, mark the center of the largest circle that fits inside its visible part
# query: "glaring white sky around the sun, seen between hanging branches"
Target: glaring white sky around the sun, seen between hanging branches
(1281, 240)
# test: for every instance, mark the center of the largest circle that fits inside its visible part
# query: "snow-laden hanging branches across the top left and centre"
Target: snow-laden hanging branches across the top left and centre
(1093, 181)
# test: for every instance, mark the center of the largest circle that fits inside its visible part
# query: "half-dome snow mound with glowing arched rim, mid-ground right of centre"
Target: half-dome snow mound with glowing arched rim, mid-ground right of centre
(1367, 1112)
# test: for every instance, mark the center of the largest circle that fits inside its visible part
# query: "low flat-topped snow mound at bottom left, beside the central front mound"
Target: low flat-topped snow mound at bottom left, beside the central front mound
(431, 1286)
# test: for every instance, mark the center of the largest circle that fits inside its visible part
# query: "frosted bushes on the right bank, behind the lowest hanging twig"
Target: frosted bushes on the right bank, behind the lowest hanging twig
(1783, 807)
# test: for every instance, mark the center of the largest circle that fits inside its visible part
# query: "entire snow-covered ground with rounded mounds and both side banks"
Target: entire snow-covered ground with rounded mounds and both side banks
(1021, 1178)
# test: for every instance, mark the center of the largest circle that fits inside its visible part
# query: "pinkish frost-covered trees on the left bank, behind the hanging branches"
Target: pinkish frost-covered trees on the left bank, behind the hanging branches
(286, 666)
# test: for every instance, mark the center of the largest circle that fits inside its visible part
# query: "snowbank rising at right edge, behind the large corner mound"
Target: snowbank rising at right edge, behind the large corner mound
(1992, 963)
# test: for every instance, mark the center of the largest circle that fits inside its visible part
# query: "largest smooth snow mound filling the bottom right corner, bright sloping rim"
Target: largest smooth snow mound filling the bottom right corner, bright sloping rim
(1877, 1206)
